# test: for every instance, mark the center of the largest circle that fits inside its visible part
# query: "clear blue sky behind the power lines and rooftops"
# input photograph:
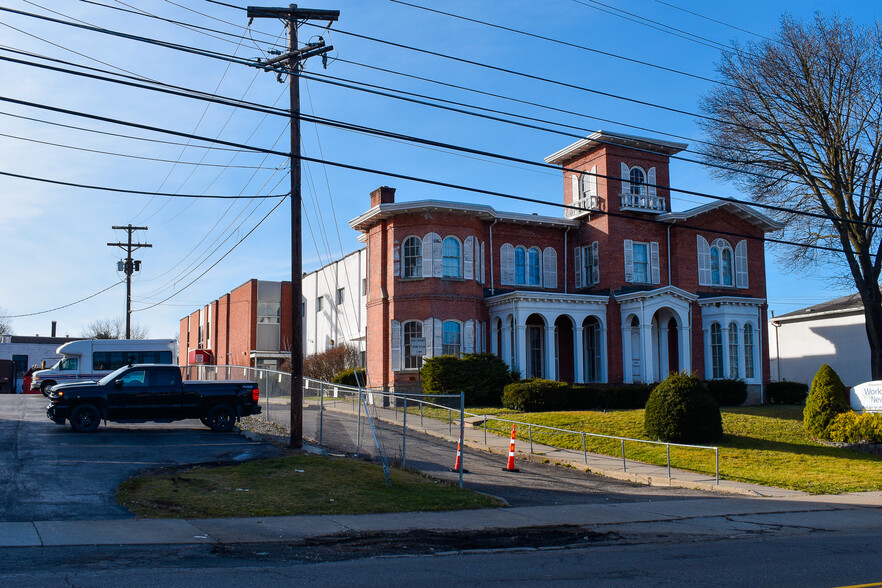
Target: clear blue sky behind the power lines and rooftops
(55, 237)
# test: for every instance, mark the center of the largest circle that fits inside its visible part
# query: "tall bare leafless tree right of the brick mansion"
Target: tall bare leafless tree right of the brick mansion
(798, 120)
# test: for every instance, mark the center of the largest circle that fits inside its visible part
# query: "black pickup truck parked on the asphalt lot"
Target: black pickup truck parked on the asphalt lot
(140, 393)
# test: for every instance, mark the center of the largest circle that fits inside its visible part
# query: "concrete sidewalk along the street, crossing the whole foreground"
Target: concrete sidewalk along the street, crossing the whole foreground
(723, 517)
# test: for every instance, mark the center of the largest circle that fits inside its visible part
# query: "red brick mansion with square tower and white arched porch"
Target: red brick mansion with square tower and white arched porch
(619, 289)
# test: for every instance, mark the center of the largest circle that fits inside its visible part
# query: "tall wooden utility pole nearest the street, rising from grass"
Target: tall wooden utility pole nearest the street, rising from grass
(293, 16)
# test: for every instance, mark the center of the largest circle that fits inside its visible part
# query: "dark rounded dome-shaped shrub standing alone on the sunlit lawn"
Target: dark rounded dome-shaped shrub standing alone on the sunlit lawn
(681, 410)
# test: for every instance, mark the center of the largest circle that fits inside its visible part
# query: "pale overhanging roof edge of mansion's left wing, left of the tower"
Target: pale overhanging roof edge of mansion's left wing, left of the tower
(387, 210)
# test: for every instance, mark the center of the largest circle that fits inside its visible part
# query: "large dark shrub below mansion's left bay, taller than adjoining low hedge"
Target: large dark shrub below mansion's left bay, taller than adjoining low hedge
(481, 376)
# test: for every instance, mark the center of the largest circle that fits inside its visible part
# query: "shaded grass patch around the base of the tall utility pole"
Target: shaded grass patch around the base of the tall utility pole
(292, 485)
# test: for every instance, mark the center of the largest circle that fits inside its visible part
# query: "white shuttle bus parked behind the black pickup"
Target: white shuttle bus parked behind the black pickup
(91, 359)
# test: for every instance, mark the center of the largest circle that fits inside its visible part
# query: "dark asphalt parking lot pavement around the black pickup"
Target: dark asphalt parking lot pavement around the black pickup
(48, 472)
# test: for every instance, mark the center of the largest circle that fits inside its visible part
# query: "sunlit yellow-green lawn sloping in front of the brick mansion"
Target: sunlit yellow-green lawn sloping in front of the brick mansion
(764, 445)
